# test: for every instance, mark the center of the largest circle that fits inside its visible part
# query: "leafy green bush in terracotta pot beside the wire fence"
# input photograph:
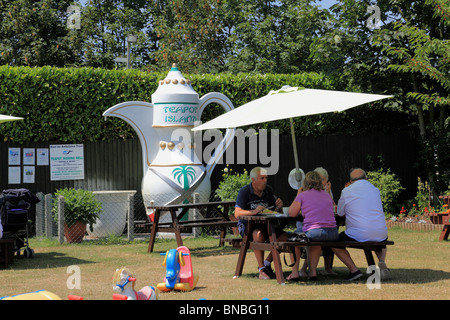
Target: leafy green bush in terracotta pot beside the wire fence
(80, 209)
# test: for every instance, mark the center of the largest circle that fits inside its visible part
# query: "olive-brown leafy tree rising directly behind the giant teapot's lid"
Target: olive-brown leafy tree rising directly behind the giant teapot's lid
(191, 33)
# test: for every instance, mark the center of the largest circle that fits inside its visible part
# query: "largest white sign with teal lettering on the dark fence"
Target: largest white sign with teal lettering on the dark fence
(66, 162)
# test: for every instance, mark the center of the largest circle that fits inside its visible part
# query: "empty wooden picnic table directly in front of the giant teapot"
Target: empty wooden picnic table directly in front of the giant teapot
(176, 225)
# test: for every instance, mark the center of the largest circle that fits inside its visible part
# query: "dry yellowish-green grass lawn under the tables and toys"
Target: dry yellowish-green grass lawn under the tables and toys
(419, 263)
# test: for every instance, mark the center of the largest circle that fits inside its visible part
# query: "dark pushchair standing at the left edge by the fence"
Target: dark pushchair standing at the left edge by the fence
(14, 213)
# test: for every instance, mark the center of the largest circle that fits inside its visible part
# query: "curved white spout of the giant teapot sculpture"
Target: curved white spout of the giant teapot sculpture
(139, 115)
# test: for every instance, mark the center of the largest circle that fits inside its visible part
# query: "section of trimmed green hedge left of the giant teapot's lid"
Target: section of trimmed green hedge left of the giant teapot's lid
(66, 105)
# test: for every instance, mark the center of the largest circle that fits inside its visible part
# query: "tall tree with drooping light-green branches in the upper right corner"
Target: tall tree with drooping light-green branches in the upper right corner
(407, 54)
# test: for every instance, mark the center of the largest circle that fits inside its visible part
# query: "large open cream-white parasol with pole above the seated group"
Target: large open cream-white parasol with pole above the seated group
(290, 102)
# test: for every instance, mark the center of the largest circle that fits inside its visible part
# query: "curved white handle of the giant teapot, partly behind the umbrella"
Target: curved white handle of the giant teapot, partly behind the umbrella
(227, 105)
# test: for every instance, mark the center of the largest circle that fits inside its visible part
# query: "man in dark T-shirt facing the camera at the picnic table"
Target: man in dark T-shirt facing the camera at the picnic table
(251, 200)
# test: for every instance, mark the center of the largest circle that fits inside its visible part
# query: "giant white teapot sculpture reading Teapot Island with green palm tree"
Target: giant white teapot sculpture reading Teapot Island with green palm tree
(172, 171)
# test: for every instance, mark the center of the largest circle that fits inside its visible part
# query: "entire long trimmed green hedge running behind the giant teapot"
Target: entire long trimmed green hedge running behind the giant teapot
(66, 104)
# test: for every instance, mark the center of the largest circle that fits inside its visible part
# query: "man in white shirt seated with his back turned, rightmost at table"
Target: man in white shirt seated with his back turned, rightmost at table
(361, 205)
